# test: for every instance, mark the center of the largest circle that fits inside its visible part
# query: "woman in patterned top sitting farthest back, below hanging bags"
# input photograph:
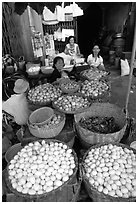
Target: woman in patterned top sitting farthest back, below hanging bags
(72, 48)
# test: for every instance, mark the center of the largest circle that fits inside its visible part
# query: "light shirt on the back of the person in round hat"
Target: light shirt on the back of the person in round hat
(17, 106)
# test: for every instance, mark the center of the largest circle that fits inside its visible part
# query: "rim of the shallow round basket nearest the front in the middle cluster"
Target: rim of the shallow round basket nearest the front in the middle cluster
(72, 112)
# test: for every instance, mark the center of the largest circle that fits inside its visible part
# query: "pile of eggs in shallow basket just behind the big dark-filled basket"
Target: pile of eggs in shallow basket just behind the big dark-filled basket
(94, 88)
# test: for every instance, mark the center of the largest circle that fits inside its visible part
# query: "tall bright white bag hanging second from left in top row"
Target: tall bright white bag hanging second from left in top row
(59, 12)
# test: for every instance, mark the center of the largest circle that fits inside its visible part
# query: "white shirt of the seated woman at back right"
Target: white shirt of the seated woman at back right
(92, 62)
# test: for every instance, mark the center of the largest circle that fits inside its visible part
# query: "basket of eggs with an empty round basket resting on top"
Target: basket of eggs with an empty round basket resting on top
(47, 128)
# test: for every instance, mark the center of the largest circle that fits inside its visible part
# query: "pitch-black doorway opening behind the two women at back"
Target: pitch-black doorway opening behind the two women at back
(89, 26)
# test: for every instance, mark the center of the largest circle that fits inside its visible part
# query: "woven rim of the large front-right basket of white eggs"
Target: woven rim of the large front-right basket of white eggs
(87, 180)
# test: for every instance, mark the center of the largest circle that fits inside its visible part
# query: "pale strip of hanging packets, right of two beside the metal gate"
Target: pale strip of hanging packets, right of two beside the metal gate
(49, 44)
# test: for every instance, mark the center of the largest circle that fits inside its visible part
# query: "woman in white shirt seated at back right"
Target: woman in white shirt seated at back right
(95, 60)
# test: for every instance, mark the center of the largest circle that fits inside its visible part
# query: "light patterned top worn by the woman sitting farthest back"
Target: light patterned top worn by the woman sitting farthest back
(72, 50)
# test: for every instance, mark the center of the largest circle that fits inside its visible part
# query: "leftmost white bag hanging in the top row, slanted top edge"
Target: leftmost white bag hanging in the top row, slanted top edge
(49, 17)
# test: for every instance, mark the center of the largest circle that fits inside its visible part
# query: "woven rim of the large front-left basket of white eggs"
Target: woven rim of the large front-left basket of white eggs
(53, 191)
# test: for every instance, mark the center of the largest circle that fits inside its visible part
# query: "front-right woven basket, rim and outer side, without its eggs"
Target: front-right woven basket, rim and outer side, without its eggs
(94, 194)
